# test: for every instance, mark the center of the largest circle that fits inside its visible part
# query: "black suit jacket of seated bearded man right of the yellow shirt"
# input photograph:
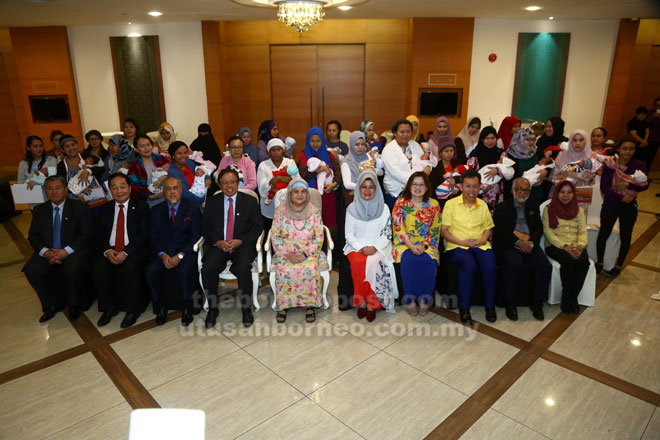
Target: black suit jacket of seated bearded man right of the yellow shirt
(505, 223)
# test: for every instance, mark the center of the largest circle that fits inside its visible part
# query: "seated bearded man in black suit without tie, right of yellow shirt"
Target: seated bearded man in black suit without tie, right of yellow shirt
(516, 238)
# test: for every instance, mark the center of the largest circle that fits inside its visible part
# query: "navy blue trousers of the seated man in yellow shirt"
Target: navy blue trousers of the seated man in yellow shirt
(469, 261)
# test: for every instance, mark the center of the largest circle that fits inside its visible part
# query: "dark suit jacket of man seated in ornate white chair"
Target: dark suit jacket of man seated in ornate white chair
(248, 224)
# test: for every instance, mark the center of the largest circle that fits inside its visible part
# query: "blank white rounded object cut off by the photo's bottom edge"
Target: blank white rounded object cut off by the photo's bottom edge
(167, 424)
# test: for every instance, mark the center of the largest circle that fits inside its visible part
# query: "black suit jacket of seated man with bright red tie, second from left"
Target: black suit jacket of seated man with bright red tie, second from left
(137, 223)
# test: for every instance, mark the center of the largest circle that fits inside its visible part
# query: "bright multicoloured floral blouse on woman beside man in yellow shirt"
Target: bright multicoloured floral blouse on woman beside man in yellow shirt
(419, 225)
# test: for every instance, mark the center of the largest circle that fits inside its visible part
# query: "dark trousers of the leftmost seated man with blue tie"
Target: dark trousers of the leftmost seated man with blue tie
(43, 277)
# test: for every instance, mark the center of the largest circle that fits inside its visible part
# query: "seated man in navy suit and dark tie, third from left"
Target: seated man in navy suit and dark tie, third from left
(175, 227)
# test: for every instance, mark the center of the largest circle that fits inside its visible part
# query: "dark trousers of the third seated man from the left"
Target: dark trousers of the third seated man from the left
(185, 273)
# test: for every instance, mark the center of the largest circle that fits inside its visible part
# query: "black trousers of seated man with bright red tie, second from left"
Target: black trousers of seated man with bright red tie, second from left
(121, 287)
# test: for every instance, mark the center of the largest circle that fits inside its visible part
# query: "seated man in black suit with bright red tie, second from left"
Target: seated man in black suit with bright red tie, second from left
(122, 235)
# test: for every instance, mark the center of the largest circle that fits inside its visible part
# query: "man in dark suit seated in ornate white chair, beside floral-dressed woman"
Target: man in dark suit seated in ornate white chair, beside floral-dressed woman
(231, 226)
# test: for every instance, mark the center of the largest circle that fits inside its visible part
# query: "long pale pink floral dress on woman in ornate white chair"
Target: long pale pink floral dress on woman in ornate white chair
(297, 285)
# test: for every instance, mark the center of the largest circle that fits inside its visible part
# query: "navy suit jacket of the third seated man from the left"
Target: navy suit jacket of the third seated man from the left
(180, 236)
